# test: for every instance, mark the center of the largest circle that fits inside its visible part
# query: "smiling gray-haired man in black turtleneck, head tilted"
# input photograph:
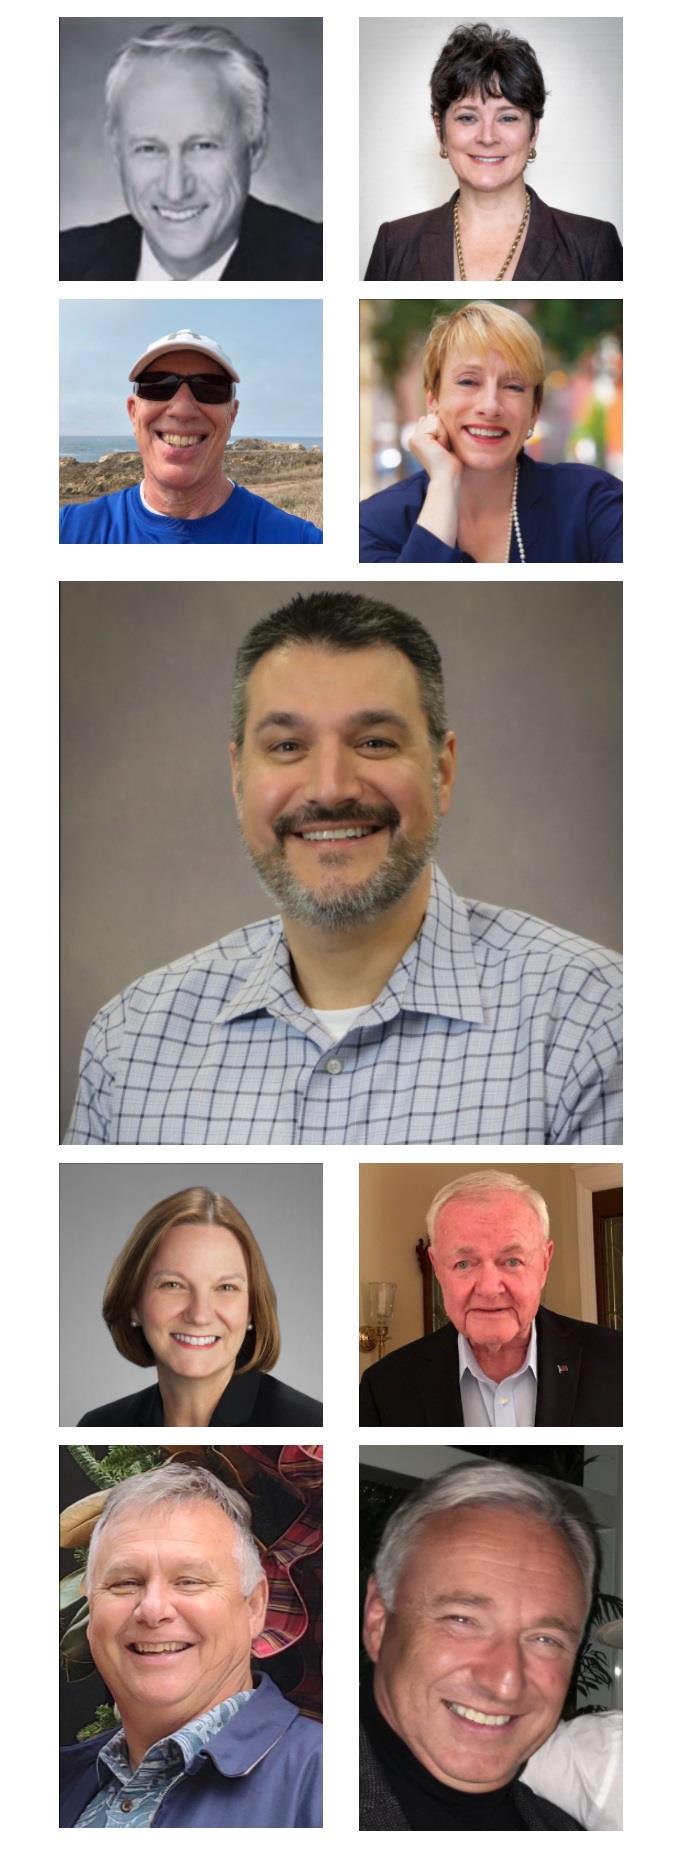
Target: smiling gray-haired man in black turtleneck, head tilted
(474, 1616)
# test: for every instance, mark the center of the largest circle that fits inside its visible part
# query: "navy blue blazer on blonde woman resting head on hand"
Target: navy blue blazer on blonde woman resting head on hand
(568, 515)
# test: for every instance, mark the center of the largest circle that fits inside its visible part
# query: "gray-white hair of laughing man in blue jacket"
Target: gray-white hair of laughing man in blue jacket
(178, 1485)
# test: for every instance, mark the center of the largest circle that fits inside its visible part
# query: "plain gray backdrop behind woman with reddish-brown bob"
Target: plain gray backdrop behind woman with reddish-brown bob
(101, 1205)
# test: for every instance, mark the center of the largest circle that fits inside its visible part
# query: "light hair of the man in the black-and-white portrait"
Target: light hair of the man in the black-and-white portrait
(245, 71)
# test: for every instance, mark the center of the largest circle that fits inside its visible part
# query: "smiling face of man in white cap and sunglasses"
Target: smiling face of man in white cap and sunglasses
(182, 443)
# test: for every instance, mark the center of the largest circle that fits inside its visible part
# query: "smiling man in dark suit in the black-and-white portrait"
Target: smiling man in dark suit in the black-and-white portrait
(188, 121)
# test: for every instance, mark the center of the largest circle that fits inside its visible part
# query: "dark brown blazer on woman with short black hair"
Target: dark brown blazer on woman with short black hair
(561, 247)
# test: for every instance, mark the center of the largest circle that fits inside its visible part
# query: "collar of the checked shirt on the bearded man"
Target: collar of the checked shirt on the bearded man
(435, 978)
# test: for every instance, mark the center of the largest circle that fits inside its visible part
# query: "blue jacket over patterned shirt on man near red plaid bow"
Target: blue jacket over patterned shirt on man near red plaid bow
(263, 1770)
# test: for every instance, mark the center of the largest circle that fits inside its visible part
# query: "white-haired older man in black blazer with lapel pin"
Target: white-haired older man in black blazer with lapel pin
(500, 1359)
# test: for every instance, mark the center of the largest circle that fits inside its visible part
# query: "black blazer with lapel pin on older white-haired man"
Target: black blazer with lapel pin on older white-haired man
(579, 1379)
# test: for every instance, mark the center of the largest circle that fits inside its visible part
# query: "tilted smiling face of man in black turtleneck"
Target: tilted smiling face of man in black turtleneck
(474, 1666)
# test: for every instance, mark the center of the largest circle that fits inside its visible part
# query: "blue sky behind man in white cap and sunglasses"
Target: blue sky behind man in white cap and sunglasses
(276, 349)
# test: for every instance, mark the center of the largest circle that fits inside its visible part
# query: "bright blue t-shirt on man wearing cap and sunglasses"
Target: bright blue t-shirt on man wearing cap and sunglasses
(243, 521)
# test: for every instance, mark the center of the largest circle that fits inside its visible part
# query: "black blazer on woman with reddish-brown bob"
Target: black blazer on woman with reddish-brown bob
(250, 1400)
